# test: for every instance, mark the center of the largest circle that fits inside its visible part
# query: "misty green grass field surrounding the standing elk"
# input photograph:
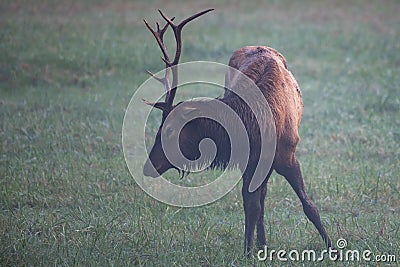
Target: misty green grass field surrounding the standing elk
(68, 70)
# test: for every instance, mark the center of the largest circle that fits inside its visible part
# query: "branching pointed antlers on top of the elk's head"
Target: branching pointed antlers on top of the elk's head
(159, 36)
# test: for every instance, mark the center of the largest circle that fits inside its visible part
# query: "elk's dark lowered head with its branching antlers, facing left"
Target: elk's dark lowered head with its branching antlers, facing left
(157, 163)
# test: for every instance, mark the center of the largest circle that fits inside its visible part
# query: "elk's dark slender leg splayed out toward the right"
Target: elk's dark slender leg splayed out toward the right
(293, 175)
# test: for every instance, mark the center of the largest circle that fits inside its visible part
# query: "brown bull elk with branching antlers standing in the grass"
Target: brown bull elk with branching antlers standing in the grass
(267, 68)
